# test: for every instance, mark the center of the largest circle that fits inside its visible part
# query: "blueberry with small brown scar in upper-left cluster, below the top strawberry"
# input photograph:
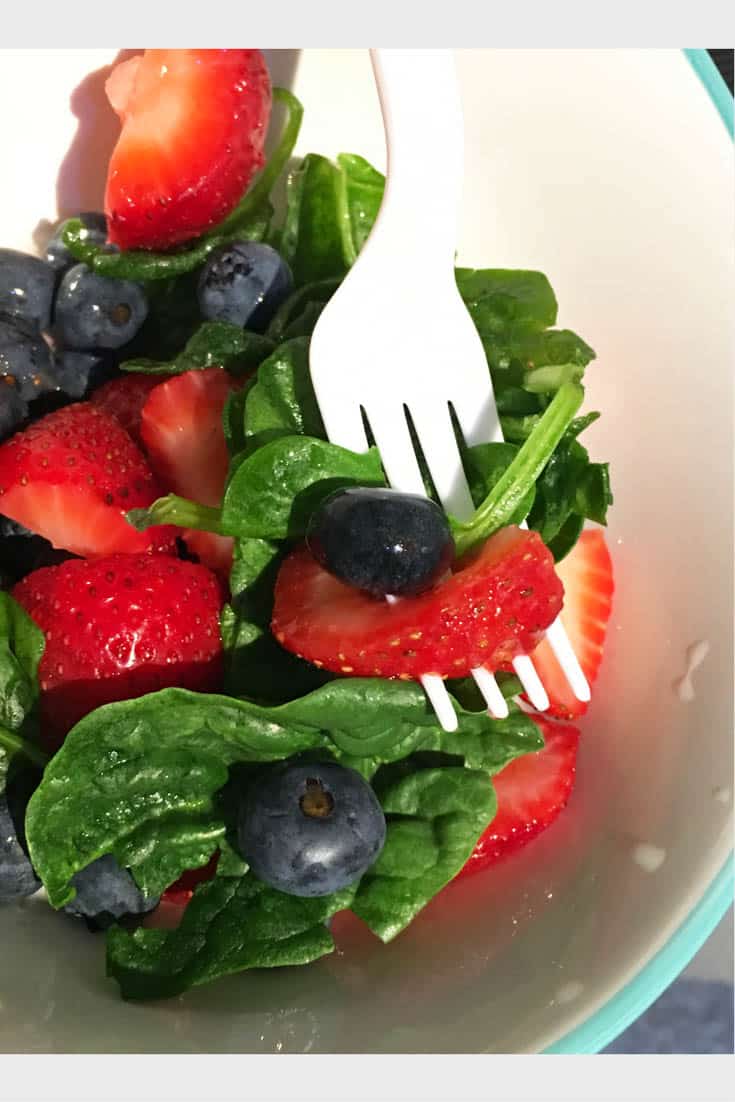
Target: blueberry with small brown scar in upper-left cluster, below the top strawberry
(95, 312)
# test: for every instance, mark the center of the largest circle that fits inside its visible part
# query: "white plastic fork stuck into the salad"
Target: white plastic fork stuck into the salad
(397, 337)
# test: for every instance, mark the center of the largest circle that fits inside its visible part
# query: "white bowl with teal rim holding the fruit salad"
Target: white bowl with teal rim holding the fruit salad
(611, 172)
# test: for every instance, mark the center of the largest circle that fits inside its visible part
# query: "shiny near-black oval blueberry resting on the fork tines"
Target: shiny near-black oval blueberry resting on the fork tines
(382, 542)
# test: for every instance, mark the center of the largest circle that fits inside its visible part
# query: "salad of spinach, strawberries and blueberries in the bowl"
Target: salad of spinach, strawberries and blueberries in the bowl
(213, 738)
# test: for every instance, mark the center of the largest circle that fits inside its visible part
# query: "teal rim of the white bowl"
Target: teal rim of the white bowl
(653, 980)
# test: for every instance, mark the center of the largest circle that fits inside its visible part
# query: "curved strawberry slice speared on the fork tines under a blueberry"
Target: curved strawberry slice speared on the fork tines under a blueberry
(494, 608)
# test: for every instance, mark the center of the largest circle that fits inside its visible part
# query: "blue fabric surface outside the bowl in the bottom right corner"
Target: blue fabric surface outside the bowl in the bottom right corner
(693, 1017)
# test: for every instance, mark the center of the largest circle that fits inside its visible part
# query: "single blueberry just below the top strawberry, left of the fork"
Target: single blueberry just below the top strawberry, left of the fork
(244, 284)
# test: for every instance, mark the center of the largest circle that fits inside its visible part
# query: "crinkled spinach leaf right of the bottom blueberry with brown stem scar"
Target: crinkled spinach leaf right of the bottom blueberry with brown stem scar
(435, 819)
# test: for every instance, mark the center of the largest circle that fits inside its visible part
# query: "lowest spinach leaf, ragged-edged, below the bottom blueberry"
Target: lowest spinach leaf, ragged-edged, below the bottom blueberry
(230, 926)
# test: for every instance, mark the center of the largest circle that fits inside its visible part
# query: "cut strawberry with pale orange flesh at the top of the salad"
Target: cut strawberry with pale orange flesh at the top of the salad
(193, 132)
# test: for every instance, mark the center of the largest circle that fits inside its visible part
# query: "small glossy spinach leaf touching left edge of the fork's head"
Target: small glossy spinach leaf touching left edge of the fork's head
(282, 403)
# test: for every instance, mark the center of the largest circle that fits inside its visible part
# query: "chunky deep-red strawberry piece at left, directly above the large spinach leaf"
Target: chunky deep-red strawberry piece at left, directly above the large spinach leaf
(121, 628)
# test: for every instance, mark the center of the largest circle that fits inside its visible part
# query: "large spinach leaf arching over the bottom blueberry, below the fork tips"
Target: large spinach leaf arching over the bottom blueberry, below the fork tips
(142, 779)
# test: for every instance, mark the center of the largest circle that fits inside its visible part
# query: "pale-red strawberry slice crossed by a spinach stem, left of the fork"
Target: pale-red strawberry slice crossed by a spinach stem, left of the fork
(182, 431)
